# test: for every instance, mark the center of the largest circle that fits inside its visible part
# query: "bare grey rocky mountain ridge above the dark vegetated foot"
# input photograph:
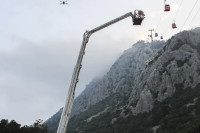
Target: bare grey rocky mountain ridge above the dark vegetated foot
(143, 75)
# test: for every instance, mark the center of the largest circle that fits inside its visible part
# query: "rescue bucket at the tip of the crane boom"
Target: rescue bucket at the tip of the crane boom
(138, 17)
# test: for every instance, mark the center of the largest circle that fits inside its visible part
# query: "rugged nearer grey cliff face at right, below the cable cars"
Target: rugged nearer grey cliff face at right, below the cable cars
(176, 65)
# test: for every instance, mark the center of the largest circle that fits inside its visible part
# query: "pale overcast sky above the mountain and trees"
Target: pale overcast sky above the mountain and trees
(40, 42)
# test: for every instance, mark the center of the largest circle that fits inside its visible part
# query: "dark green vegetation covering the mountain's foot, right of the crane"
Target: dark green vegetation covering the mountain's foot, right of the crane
(177, 114)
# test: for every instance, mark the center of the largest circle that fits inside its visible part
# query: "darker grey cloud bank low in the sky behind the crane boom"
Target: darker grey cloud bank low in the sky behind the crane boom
(35, 77)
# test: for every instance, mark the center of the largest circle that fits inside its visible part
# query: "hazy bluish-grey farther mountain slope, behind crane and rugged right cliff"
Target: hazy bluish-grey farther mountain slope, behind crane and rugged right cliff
(117, 82)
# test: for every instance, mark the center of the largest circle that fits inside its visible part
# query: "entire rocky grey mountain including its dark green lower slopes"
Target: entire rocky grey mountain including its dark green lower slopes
(141, 82)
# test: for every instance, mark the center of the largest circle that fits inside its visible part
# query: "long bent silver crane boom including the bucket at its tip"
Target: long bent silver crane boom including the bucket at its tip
(71, 93)
